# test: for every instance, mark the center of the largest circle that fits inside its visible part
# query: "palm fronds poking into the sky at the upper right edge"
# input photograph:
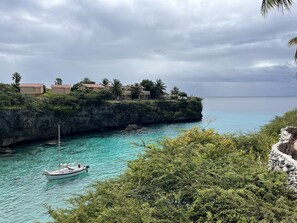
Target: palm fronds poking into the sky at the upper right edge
(281, 5)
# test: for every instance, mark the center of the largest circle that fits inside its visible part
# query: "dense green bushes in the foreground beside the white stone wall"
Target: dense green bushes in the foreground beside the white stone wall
(201, 176)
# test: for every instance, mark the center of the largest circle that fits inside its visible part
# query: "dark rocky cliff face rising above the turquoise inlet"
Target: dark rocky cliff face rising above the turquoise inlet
(28, 125)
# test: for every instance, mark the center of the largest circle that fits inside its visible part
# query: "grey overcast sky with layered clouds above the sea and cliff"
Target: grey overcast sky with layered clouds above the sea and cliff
(205, 47)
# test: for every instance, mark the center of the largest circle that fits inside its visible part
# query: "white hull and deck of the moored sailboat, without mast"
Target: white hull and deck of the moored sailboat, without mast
(65, 171)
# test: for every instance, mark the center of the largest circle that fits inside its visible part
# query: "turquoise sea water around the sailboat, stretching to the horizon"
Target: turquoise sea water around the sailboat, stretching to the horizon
(24, 190)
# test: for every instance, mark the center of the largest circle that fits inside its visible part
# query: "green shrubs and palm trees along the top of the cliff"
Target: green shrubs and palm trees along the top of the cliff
(11, 98)
